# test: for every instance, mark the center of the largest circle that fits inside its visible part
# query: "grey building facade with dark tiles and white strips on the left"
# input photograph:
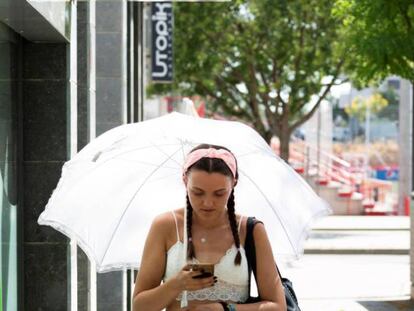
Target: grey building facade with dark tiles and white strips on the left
(69, 71)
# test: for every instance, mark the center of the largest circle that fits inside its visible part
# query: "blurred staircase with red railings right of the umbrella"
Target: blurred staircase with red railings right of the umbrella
(348, 189)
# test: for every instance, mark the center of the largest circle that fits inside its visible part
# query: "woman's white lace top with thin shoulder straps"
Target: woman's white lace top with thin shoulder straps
(232, 280)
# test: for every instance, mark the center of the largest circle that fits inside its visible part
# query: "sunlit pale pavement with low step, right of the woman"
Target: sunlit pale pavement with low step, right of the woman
(354, 263)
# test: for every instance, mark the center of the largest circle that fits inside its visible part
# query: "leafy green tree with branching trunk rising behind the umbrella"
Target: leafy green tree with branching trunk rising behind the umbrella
(268, 62)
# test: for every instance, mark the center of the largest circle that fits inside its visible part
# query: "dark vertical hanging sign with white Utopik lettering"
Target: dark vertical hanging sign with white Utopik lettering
(162, 54)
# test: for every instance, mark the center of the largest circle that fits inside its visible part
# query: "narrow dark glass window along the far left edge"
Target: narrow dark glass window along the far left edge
(8, 169)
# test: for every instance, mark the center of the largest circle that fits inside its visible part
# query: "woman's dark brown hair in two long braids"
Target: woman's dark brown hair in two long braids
(213, 165)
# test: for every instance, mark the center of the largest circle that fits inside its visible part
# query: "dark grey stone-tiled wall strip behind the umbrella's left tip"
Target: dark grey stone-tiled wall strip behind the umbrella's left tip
(44, 140)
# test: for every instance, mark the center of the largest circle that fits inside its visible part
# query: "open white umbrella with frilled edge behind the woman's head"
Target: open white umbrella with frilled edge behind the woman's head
(112, 189)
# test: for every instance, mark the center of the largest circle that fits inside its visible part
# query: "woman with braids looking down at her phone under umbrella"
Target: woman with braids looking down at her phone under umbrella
(216, 234)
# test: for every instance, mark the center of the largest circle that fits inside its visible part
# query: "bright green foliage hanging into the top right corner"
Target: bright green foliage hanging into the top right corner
(378, 36)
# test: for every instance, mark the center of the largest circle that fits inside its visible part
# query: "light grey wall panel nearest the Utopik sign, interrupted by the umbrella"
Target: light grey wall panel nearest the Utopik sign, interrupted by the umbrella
(110, 110)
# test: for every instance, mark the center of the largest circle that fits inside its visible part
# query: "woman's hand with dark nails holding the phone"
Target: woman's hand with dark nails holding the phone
(184, 280)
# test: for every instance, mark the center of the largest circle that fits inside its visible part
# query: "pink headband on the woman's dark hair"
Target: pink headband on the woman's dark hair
(223, 154)
